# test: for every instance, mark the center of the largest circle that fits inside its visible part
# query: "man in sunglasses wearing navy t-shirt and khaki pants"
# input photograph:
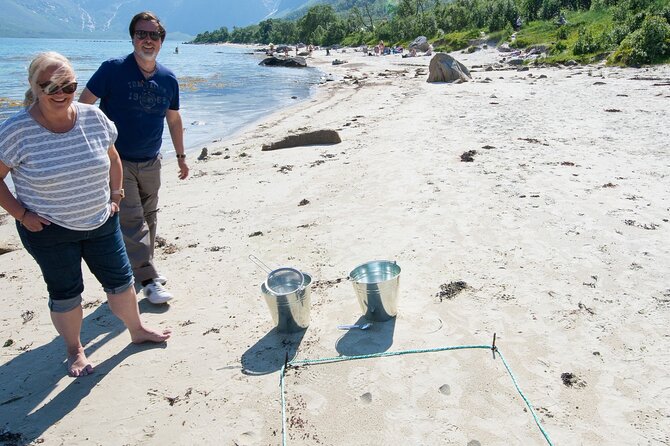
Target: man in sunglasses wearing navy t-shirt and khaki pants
(139, 95)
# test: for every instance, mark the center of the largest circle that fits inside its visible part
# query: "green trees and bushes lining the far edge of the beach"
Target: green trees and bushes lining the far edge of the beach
(625, 32)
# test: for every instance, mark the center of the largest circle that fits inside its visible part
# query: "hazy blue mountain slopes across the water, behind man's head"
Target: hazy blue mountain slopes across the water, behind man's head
(109, 18)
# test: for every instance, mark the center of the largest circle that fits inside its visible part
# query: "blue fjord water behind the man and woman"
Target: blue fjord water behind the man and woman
(222, 88)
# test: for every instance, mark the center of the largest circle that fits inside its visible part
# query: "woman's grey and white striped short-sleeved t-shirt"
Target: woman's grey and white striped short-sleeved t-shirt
(63, 177)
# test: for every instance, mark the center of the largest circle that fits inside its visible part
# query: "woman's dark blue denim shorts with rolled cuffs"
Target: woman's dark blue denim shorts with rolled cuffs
(59, 251)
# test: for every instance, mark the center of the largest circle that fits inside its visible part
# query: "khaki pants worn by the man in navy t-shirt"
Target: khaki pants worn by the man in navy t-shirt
(141, 182)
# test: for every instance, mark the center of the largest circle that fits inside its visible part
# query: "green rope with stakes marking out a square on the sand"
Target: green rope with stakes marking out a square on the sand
(491, 347)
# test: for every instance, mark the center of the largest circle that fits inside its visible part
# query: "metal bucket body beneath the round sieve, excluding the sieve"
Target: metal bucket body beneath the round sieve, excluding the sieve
(290, 312)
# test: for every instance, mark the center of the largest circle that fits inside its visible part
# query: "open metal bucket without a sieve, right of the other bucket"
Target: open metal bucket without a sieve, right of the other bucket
(376, 285)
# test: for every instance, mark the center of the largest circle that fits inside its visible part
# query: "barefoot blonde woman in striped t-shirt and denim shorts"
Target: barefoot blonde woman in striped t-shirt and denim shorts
(67, 176)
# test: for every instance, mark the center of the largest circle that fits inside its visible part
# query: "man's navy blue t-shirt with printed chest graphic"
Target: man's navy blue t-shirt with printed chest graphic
(135, 104)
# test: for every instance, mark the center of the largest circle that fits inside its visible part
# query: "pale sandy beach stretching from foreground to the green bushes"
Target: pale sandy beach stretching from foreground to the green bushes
(554, 237)
